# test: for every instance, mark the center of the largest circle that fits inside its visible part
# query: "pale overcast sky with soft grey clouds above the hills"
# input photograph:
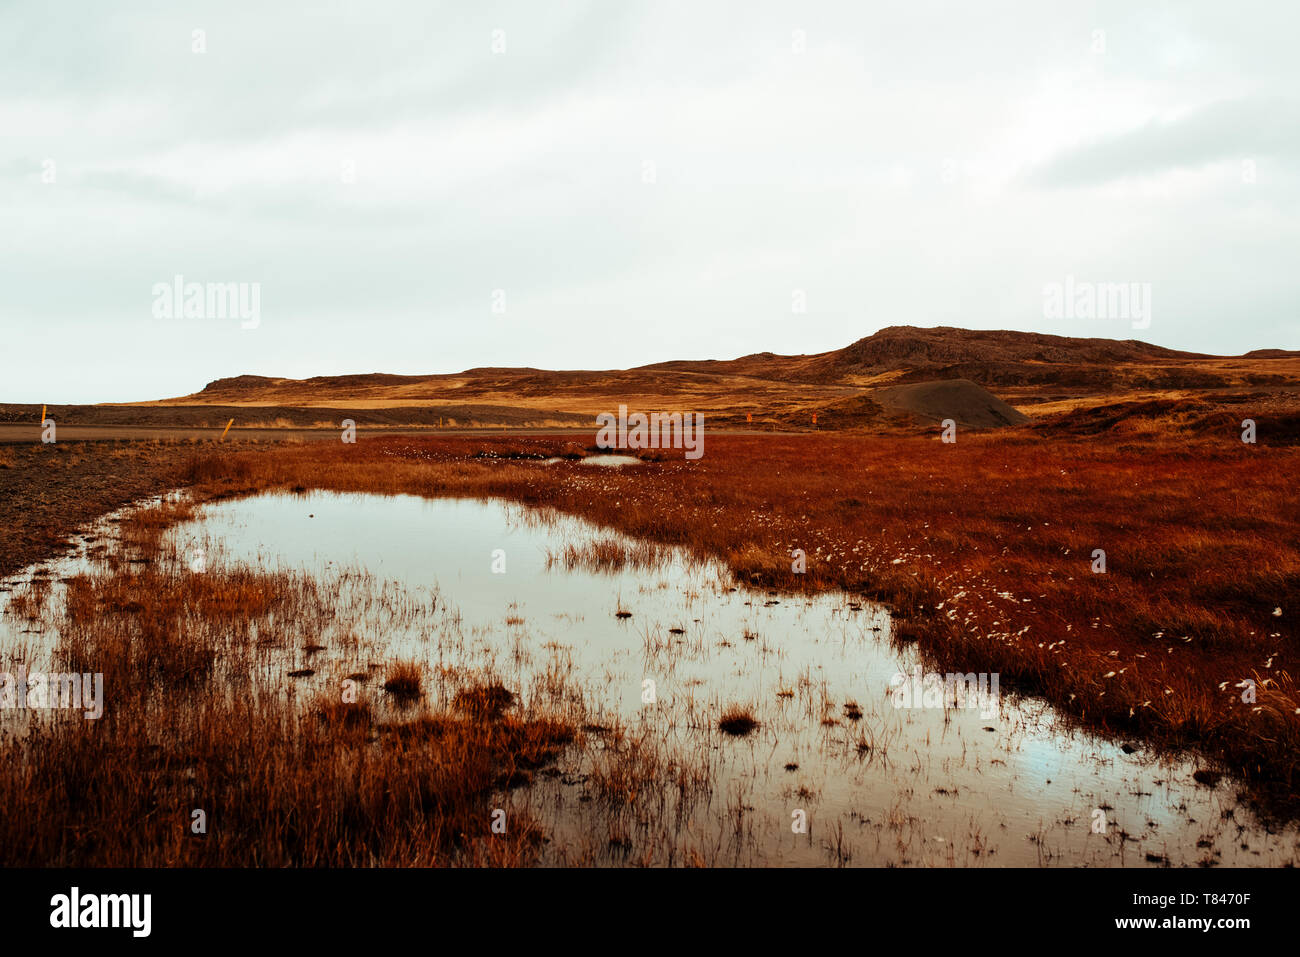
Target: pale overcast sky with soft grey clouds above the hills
(642, 181)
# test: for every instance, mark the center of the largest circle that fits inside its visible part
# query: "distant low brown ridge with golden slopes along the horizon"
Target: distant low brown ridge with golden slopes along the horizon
(900, 375)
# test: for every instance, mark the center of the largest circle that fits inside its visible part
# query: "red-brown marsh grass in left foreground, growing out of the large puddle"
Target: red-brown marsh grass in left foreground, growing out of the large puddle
(279, 782)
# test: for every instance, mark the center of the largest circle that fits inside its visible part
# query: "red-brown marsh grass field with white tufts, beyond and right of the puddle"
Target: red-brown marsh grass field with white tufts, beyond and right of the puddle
(983, 551)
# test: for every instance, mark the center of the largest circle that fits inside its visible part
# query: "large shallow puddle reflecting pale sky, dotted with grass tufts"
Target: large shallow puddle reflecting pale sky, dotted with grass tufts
(486, 584)
